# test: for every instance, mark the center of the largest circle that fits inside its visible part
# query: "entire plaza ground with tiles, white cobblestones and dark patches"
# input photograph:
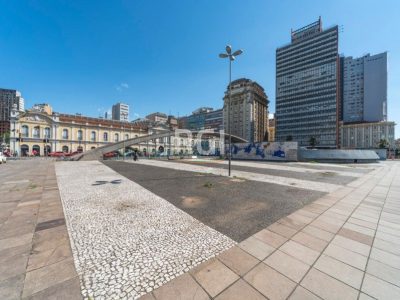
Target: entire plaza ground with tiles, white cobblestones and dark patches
(183, 229)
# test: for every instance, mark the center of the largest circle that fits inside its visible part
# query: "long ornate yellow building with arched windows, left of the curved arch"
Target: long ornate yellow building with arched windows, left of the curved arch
(39, 131)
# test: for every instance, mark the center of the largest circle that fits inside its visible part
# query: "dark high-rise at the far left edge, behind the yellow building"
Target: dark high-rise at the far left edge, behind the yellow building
(9, 98)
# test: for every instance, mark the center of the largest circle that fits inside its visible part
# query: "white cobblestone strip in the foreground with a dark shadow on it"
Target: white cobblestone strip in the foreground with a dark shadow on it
(126, 240)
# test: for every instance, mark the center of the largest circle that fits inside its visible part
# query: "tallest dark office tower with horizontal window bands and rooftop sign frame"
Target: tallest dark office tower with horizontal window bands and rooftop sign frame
(307, 86)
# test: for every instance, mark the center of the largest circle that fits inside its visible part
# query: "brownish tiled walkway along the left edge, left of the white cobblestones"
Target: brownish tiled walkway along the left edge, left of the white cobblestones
(35, 255)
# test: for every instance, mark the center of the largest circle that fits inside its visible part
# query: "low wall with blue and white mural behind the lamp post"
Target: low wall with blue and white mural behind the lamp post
(286, 151)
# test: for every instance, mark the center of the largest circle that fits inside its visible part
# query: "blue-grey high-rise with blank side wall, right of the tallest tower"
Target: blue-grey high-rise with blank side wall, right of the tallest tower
(364, 88)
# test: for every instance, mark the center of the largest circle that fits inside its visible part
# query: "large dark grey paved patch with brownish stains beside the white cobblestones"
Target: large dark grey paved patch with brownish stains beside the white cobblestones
(235, 207)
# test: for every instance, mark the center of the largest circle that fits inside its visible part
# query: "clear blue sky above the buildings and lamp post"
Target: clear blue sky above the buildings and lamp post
(83, 56)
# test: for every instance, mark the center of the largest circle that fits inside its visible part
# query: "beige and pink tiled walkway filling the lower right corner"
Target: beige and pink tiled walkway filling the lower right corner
(343, 246)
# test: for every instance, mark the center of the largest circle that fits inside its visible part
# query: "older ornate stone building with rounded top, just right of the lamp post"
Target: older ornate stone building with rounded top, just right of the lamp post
(248, 110)
